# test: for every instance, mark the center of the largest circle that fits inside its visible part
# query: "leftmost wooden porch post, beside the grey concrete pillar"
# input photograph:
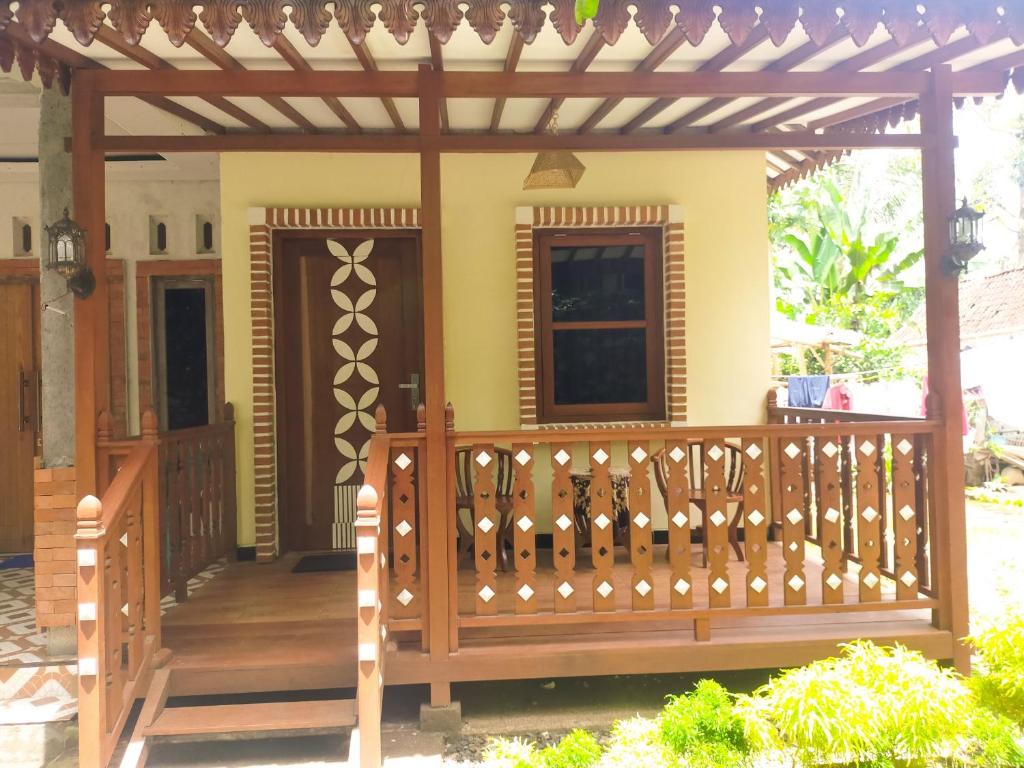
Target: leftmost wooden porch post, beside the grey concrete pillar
(92, 315)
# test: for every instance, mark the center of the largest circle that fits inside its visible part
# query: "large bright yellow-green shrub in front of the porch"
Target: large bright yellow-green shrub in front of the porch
(872, 706)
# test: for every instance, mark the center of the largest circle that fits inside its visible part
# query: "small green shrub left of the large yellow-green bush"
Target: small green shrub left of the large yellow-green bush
(703, 729)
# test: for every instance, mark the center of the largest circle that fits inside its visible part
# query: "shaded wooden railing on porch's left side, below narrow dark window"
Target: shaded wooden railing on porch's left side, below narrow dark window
(198, 511)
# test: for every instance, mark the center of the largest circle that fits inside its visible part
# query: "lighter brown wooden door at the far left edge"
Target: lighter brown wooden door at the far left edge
(19, 312)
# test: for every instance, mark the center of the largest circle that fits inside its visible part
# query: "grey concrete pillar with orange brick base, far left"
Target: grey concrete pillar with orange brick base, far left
(56, 519)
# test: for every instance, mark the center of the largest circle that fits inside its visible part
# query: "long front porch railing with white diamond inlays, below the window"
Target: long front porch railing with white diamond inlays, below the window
(852, 500)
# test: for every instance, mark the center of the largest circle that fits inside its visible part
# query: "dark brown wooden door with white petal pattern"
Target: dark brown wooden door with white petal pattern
(348, 336)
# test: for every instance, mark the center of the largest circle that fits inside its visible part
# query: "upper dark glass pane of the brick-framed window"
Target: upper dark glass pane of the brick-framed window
(598, 283)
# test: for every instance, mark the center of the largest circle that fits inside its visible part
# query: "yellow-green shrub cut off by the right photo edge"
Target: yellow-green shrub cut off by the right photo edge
(1000, 679)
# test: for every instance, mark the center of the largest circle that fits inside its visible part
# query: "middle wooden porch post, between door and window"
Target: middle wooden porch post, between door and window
(434, 342)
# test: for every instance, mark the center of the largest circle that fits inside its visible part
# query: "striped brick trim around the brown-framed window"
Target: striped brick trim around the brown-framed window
(670, 219)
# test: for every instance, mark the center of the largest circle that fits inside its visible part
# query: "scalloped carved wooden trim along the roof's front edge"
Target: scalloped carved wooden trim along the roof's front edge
(985, 19)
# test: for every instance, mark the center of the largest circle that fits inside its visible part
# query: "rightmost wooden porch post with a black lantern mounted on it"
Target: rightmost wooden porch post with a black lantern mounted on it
(942, 294)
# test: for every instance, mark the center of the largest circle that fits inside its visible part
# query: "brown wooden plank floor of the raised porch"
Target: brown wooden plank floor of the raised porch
(261, 627)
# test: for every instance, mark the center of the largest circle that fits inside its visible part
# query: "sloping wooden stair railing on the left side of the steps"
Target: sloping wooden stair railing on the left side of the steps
(119, 590)
